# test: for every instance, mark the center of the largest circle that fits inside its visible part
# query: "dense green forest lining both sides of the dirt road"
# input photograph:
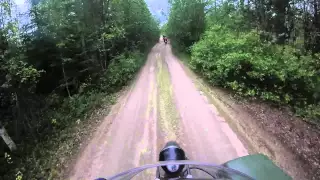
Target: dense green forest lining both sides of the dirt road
(67, 55)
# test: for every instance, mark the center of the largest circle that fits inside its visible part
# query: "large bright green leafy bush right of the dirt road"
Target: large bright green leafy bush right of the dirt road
(242, 62)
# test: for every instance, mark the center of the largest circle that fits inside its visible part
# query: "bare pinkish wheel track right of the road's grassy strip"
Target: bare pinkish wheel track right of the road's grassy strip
(206, 136)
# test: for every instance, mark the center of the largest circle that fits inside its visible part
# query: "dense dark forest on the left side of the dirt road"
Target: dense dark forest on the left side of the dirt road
(60, 64)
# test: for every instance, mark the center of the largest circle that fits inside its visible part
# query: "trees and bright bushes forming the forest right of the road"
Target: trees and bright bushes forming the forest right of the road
(263, 49)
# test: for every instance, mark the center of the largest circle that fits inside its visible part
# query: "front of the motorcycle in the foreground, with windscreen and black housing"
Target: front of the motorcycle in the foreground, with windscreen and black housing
(174, 164)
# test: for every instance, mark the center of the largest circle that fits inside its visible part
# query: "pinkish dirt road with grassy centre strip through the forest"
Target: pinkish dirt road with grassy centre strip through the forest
(163, 104)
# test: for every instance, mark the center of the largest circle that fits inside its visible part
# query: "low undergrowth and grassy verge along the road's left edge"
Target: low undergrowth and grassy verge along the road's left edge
(68, 122)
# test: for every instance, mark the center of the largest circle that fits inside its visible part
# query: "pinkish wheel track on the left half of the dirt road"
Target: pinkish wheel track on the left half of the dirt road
(130, 137)
